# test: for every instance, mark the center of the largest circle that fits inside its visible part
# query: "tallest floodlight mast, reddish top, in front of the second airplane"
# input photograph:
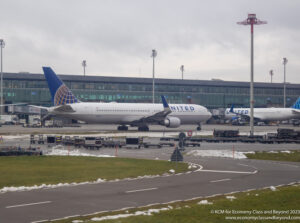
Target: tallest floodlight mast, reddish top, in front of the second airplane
(251, 20)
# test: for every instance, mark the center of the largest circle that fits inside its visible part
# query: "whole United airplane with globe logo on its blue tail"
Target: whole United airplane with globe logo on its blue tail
(139, 115)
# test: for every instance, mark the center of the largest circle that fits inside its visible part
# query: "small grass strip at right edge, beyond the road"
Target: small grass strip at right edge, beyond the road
(293, 156)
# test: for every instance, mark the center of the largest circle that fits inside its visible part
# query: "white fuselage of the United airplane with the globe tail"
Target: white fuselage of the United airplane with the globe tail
(124, 113)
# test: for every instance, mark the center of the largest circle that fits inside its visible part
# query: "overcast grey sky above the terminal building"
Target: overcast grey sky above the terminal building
(116, 37)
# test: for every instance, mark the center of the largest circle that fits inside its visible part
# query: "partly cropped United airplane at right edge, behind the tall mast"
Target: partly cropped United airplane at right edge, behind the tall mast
(265, 114)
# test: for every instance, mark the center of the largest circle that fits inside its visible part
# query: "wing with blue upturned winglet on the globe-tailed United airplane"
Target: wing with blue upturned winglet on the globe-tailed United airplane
(157, 117)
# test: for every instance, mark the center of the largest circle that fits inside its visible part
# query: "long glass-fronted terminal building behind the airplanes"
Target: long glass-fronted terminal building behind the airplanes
(213, 94)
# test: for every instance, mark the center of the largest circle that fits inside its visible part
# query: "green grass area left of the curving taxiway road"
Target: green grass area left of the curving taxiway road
(37, 170)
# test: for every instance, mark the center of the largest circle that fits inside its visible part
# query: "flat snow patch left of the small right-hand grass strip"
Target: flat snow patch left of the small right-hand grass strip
(218, 153)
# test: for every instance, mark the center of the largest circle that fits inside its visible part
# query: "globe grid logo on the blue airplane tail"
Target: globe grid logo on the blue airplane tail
(64, 96)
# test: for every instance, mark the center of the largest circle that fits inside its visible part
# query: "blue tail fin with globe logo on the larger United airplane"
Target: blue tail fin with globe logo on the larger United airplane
(60, 93)
